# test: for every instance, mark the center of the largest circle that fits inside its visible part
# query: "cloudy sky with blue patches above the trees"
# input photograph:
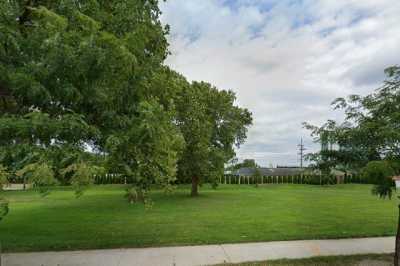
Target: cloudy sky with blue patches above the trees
(286, 59)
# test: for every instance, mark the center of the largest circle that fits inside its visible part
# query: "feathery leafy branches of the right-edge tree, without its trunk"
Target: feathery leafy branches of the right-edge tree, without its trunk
(370, 131)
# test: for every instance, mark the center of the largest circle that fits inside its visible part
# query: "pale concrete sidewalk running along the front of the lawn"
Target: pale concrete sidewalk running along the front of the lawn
(203, 255)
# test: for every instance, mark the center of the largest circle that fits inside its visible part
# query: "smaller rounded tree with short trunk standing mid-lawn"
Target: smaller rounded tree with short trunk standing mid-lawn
(212, 125)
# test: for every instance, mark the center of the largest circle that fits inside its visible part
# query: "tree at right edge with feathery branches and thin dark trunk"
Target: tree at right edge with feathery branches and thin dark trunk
(369, 138)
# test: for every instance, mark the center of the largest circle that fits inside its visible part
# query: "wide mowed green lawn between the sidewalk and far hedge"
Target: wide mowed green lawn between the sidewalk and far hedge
(102, 218)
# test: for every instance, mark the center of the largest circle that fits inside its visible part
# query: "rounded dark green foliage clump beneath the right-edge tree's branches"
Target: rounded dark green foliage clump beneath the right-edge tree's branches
(380, 173)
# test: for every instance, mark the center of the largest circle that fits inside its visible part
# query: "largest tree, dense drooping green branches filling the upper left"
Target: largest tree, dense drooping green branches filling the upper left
(79, 74)
